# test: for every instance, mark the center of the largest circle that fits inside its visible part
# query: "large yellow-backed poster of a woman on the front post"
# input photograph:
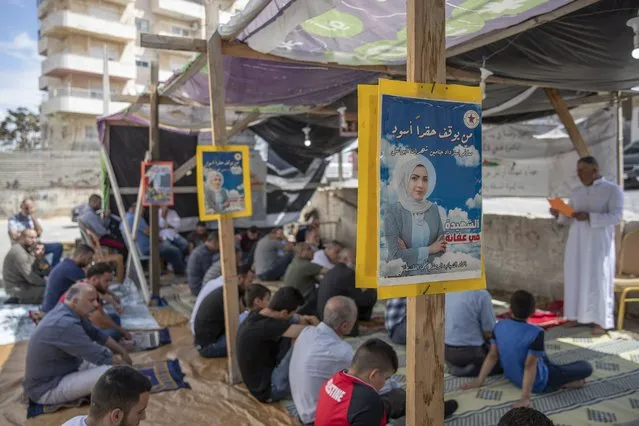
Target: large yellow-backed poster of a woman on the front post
(419, 228)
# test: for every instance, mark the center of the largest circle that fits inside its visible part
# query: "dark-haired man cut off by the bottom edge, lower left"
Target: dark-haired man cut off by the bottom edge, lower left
(119, 397)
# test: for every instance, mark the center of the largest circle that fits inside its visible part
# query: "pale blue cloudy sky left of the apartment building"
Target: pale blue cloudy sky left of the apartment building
(19, 59)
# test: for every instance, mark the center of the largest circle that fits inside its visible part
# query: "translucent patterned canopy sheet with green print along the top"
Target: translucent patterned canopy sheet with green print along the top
(370, 32)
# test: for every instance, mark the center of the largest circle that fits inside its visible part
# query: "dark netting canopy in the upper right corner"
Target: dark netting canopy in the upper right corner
(588, 49)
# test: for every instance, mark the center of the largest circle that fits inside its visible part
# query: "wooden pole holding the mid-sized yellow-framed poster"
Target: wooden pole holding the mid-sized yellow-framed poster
(225, 224)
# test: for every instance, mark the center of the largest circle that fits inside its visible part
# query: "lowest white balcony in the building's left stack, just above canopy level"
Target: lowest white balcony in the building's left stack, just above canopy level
(78, 101)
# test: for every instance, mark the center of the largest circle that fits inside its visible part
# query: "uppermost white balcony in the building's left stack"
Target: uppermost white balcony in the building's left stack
(65, 22)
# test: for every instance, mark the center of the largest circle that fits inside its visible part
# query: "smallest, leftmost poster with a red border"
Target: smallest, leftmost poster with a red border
(157, 183)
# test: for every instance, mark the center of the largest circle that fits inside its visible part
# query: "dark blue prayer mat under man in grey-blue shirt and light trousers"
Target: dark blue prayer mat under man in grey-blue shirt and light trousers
(164, 375)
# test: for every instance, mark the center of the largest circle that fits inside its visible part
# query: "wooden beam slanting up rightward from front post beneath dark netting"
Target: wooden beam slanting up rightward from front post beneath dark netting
(501, 34)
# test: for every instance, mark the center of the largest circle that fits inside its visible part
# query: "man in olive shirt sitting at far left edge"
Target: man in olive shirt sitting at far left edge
(21, 281)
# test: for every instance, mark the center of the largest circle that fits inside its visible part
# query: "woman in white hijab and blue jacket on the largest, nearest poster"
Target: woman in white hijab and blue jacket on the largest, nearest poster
(412, 226)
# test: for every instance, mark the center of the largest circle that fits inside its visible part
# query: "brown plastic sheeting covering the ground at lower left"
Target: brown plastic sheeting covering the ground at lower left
(210, 401)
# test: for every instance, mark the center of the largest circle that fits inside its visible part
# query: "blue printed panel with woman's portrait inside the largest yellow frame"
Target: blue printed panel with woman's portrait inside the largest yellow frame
(430, 190)
